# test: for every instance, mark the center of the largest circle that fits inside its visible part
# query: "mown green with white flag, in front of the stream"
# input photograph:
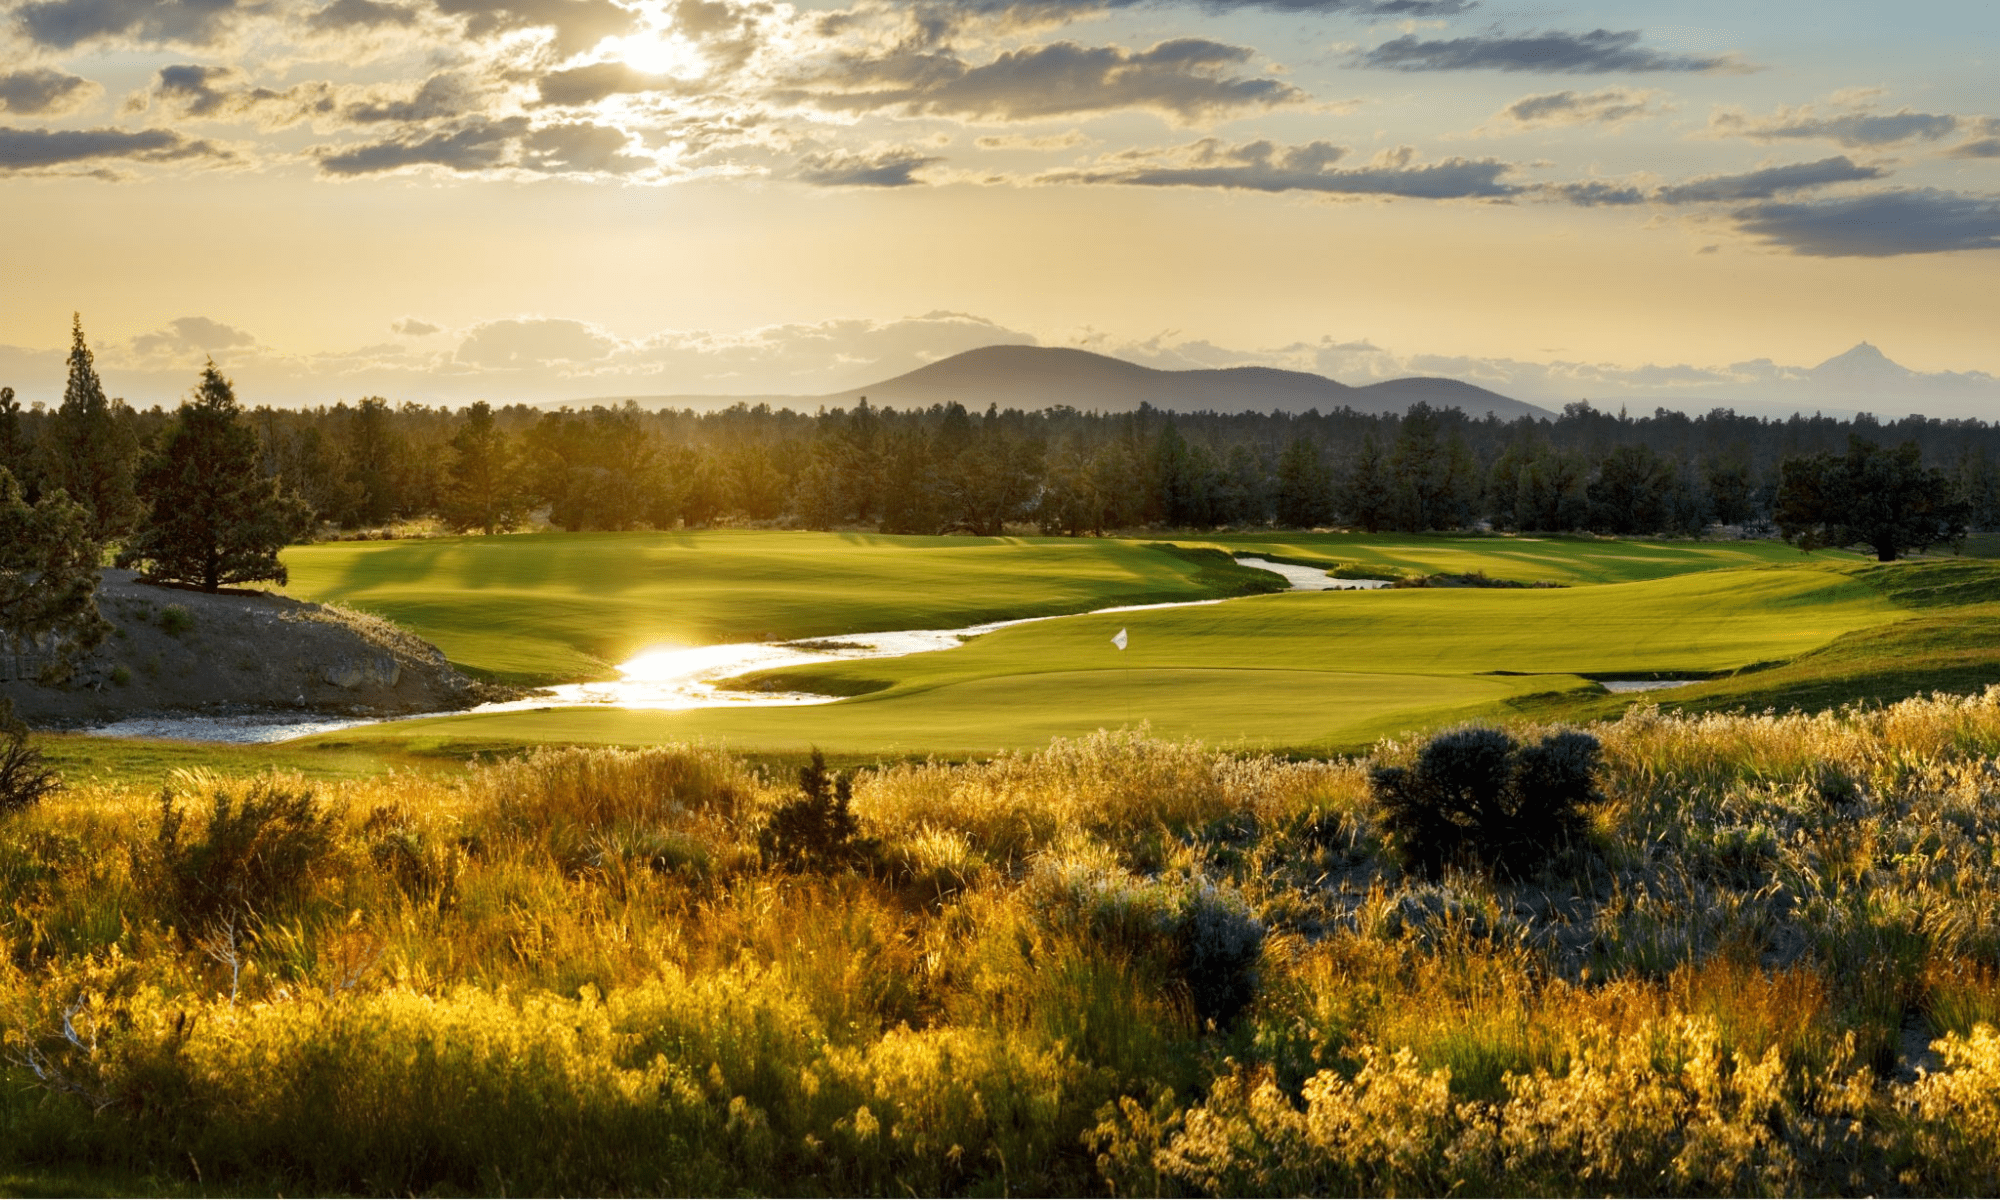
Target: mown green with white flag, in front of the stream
(1303, 671)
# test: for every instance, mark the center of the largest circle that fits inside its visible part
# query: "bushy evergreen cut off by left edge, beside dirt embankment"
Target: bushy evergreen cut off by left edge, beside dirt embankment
(49, 573)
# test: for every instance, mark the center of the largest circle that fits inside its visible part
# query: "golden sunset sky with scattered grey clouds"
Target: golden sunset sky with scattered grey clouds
(445, 201)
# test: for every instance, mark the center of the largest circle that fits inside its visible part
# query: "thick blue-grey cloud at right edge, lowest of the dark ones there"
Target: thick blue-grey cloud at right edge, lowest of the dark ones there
(1913, 221)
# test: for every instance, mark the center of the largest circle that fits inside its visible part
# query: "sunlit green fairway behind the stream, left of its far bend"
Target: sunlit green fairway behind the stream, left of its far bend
(559, 607)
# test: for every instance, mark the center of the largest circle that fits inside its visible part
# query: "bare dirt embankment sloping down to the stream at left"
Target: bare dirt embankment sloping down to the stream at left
(187, 653)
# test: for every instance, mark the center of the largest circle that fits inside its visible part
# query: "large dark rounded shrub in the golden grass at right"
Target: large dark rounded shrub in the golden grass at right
(1477, 797)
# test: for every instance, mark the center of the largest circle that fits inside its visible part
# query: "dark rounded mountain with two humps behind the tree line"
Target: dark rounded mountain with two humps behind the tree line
(1047, 377)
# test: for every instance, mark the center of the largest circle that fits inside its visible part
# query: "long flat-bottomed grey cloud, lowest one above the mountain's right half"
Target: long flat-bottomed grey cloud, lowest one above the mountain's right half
(1269, 167)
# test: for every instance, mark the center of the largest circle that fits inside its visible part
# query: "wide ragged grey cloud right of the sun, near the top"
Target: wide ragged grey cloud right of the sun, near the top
(1185, 79)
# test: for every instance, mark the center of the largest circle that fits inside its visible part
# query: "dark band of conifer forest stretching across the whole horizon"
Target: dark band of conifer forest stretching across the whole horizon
(209, 493)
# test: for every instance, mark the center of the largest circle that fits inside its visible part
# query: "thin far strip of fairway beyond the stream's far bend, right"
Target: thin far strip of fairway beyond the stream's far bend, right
(1563, 561)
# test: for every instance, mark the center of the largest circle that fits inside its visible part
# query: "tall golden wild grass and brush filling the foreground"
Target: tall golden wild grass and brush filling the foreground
(1769, 971)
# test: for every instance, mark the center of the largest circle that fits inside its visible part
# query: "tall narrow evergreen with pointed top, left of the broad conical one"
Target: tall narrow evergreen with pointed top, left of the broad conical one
(89, 451)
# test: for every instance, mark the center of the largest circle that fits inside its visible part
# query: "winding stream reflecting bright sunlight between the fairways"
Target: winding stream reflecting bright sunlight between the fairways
(671, 679)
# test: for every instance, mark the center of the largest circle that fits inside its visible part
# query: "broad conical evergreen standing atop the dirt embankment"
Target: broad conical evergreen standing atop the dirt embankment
(213, 513)
